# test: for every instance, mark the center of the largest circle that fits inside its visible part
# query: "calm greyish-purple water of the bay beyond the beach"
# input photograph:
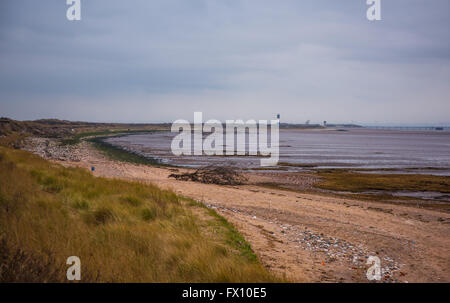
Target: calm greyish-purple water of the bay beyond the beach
(351, 148)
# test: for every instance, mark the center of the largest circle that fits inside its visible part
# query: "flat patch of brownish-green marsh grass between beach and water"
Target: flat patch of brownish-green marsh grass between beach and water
(343, 180)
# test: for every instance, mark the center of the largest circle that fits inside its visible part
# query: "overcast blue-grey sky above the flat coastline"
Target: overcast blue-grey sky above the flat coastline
(162, 60)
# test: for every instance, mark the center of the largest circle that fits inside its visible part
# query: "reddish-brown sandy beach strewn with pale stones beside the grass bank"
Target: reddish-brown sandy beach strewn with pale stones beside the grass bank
(313, 238)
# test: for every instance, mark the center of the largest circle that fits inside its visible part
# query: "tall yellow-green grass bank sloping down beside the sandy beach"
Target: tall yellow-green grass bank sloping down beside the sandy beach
(122, 231)
